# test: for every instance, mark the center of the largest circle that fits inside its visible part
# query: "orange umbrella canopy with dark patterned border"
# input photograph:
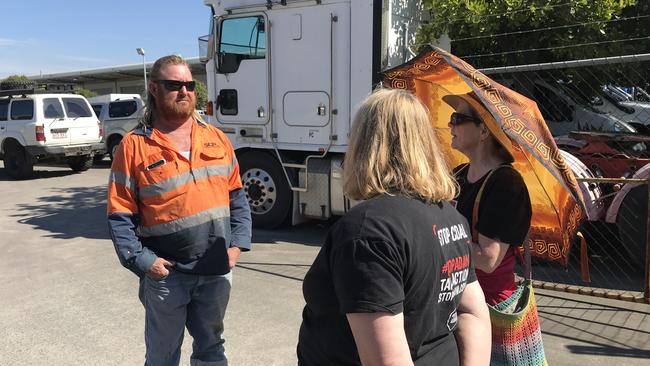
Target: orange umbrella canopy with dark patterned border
(518, 125)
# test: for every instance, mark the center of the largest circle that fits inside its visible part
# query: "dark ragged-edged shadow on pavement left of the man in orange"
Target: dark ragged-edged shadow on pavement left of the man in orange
(68, 213)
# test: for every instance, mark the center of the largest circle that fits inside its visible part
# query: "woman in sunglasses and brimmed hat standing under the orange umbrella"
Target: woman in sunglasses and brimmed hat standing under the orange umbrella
(502, 217)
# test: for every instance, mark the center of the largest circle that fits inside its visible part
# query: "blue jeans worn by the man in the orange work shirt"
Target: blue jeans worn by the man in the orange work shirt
(185, 300)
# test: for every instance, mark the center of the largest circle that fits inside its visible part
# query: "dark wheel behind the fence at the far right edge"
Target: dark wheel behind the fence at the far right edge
(633, 225)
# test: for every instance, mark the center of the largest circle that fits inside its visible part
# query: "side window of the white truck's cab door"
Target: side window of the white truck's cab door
(241, 39)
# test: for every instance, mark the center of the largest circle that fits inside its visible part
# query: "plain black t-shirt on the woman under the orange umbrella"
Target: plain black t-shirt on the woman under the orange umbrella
(504, 211)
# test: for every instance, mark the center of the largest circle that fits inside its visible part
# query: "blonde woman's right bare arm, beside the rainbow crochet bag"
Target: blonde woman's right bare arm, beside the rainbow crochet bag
(474, 334)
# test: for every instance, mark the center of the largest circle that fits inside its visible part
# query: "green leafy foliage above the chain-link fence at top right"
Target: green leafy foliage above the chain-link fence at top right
(493, 33)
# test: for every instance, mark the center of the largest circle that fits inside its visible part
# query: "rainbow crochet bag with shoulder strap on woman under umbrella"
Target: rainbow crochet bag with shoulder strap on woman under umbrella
(516, 332)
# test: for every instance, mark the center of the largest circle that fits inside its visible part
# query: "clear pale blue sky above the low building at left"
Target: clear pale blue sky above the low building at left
(52, 36)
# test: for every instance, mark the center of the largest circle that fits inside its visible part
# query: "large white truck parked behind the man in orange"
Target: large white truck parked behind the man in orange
(284, 79)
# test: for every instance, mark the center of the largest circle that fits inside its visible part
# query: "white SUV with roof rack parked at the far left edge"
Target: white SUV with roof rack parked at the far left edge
(37, 128)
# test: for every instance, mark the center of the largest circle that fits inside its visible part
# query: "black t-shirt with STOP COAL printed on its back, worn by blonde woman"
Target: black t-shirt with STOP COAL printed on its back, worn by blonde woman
(389, 254)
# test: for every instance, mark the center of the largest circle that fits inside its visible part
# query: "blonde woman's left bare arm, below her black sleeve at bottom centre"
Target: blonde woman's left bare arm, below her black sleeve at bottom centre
(380, 338)
